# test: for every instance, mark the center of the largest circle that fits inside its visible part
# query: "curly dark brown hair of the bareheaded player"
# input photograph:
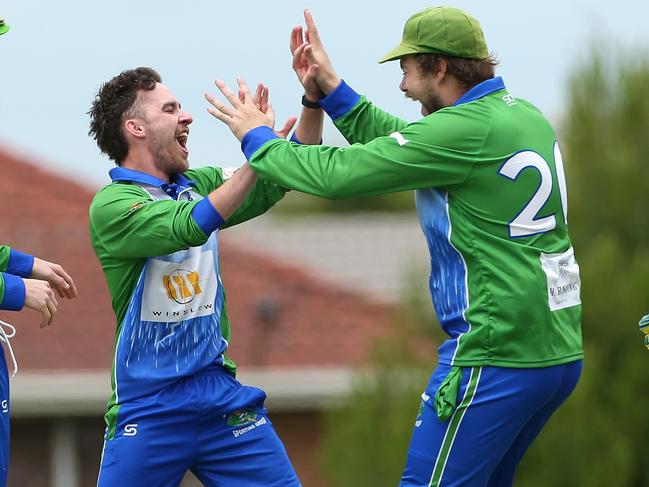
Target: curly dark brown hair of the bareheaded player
(115, 102)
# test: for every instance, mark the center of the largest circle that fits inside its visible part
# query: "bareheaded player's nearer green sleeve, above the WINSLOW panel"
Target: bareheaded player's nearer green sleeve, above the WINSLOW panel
(126, 223)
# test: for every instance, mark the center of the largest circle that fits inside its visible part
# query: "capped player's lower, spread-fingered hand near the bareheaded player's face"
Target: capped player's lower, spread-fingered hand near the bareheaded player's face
(244, 115)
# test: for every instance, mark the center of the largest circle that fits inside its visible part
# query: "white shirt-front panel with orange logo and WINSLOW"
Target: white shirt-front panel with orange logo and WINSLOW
(175, 291)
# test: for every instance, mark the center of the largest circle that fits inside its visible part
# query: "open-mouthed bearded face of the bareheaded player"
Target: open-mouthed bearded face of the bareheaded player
(166, 127)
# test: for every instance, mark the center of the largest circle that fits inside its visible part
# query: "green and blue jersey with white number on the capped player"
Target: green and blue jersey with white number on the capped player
(492, 202)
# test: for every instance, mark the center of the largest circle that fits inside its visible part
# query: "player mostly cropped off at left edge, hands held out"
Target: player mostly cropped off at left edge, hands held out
(30, 282)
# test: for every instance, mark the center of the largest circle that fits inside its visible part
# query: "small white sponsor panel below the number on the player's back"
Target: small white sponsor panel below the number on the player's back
(562, 274)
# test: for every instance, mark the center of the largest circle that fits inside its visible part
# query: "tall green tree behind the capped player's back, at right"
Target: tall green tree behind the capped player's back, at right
(598, 438)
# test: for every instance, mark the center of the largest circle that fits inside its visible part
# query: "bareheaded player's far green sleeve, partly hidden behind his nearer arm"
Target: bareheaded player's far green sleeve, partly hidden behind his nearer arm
(262, 196)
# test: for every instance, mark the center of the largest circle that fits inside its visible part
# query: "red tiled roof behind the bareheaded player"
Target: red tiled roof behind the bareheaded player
(281, 314)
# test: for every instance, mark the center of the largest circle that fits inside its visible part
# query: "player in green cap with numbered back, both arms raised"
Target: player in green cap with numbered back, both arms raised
(492, 201)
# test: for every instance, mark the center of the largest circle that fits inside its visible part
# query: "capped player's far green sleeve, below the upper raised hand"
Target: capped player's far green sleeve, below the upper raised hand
(365, 122)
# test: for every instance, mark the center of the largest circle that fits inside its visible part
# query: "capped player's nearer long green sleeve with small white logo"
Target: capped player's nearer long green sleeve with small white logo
(437, 151)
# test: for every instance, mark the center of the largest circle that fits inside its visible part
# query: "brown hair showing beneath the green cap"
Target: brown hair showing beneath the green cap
(468, 72)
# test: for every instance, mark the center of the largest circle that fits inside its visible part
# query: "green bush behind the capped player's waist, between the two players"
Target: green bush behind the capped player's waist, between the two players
(367, 437)
